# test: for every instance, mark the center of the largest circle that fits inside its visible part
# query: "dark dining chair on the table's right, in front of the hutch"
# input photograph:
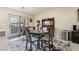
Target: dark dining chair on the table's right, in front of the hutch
(47, 41)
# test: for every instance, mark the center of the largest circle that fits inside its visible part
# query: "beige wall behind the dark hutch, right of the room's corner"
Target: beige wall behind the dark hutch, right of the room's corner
(65, 18)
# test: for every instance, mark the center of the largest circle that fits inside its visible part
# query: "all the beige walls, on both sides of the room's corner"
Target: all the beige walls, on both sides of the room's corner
(64, 18)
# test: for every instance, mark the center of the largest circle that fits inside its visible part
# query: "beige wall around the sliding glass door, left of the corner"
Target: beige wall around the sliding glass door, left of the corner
(4, 21)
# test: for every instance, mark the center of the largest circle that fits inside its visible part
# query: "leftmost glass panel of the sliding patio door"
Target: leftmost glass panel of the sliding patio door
(14, 25)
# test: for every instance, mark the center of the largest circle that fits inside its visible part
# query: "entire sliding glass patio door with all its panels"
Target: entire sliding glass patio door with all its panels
(17, 24)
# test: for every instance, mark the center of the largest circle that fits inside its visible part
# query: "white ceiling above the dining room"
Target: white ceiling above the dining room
(32, 10)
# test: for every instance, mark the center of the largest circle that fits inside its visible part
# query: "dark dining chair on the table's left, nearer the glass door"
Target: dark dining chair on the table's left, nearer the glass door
(30, 40)
